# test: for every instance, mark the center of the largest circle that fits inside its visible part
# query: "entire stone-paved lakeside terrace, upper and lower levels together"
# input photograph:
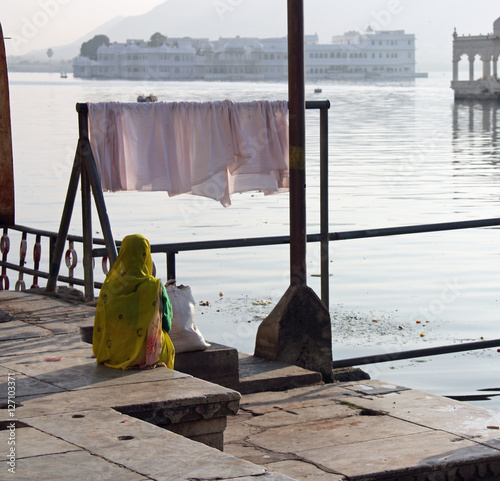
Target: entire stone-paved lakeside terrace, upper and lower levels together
(79, 421)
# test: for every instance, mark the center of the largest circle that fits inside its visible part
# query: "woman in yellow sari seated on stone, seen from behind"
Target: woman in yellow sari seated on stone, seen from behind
(133, 313)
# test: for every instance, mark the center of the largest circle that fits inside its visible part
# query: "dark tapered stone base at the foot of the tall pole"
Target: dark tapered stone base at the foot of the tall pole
(298, 331)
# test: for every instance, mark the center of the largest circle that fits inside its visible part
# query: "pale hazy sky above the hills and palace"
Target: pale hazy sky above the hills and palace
(37, 24)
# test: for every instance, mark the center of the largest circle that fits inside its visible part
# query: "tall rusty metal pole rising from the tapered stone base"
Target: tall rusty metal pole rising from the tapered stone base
(296, 98)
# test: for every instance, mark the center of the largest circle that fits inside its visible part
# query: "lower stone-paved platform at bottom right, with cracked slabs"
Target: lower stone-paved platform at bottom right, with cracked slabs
(367, 430)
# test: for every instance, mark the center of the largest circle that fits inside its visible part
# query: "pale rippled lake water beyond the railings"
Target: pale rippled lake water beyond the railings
(401, 153)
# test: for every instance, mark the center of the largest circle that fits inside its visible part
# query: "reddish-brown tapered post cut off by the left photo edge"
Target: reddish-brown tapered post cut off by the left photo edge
(6, 162)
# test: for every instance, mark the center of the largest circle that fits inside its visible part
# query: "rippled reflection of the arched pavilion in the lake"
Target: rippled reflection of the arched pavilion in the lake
(475, 129)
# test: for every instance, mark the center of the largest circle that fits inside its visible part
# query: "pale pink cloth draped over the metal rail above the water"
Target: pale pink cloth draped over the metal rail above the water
(212, 149)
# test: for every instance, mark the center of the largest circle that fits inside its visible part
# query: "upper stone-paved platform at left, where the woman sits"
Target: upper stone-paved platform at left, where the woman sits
(64, 417)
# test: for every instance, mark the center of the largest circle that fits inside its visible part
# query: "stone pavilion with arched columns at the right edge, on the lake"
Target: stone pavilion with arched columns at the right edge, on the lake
(485, 50)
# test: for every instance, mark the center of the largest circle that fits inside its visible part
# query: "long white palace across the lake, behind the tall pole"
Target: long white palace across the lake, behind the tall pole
(387, 54)
